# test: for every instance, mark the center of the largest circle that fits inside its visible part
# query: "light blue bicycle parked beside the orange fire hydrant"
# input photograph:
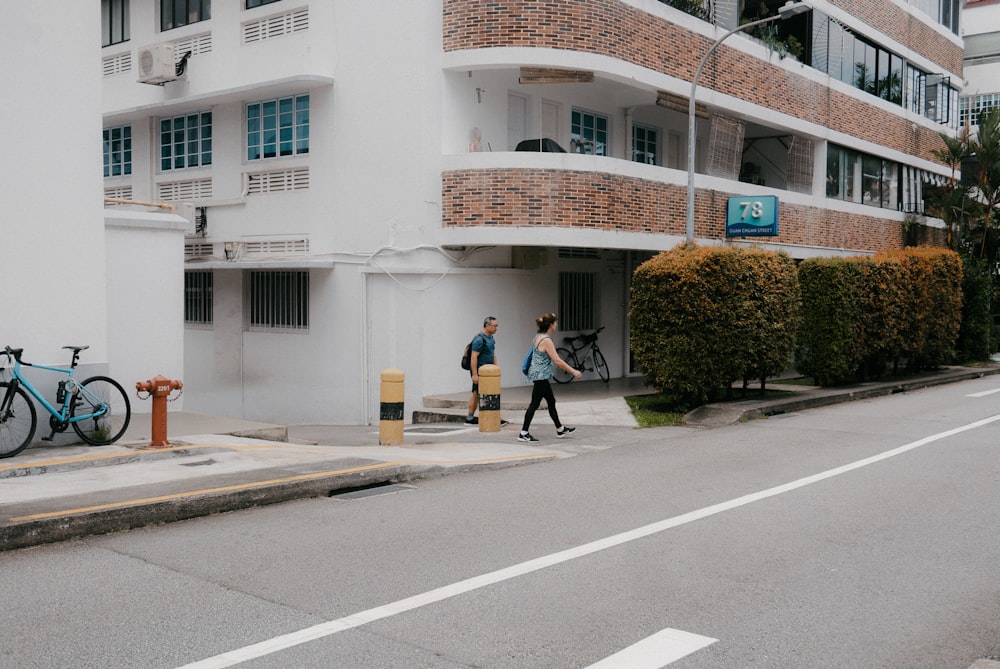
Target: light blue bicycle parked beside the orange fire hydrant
(97, 408)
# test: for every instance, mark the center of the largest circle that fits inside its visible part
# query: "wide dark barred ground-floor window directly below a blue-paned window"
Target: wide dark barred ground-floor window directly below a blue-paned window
(279, 300)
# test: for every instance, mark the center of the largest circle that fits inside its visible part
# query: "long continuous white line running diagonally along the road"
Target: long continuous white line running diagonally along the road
(331, 627)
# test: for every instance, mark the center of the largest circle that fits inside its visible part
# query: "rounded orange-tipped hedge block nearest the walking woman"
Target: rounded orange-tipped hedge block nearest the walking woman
(705, 317)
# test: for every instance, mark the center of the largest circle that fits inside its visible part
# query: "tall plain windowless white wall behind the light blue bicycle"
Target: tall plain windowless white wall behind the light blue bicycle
(53, 212)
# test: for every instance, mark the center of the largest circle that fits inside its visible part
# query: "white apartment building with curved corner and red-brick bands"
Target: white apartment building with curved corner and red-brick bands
(360, 205)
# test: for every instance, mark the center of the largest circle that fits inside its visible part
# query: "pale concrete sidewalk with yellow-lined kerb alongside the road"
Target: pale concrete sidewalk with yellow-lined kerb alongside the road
(61, 491)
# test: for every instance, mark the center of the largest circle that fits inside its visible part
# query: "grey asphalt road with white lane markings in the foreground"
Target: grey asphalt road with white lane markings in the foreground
(858, 535)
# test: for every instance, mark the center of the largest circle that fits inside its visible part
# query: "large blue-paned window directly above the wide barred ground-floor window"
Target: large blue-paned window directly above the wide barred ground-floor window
(278, 127)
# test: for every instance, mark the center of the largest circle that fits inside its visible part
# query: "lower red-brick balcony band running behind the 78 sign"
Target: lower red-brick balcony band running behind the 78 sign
(602, 201)
